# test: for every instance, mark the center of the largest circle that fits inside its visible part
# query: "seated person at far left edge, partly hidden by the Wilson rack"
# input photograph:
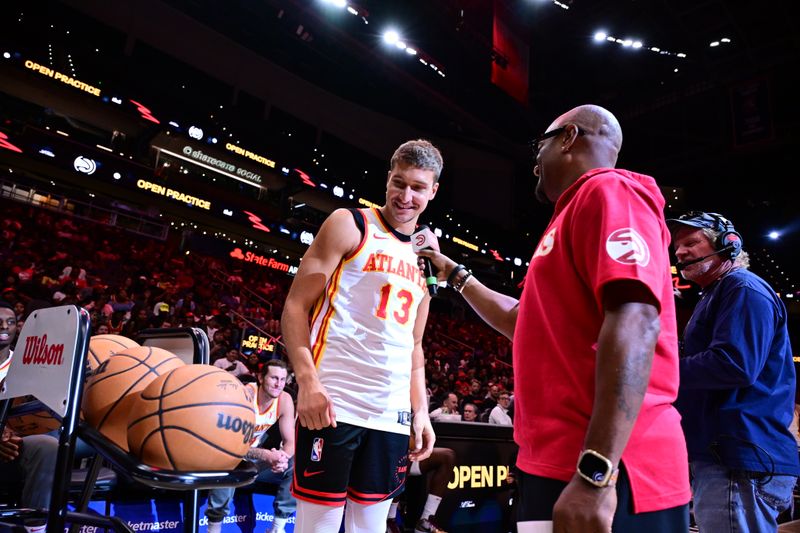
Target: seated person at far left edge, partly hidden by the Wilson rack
(30, 458)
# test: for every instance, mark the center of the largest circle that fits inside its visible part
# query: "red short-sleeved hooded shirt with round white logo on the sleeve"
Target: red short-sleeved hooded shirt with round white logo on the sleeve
(607, 226)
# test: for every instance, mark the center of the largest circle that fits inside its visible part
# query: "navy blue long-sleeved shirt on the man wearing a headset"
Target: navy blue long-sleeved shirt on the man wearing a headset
(737, 378)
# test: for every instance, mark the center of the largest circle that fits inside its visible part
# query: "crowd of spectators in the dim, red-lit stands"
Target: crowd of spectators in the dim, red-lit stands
(129, 282)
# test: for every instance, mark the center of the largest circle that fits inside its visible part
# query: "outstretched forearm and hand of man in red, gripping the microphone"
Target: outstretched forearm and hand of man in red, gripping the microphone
(496, 309)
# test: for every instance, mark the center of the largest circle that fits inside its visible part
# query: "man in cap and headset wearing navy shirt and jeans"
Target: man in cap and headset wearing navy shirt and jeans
(737, 383)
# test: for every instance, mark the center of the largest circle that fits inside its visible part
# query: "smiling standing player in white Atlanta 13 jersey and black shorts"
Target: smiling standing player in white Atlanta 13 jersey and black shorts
(360, 366)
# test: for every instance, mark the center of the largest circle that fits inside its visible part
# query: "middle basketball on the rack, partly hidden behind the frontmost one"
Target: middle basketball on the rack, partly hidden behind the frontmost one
(116, 382)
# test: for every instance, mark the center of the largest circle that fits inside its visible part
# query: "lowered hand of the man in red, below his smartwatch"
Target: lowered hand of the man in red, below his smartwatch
(582, 508)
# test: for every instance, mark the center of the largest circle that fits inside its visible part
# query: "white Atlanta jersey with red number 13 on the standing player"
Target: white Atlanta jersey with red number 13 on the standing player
(362, 330)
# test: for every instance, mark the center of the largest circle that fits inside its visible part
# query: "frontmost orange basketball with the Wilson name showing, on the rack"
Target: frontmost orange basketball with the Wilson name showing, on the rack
(197, 417)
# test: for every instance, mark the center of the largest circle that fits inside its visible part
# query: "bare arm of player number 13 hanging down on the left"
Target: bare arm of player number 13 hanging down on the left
(337, 238)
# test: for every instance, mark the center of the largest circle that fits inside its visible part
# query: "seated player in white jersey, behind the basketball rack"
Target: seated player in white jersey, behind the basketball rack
(272, 405)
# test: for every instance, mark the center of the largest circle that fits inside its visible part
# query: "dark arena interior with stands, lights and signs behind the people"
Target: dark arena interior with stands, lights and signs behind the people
(172, 160)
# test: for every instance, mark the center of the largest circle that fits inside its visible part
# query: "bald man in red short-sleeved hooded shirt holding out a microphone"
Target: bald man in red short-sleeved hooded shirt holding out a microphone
(595, 348)
